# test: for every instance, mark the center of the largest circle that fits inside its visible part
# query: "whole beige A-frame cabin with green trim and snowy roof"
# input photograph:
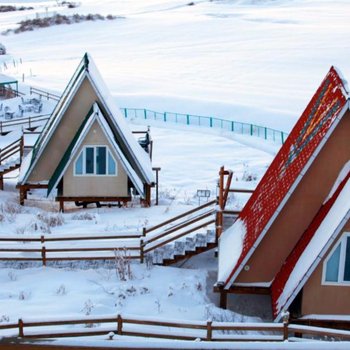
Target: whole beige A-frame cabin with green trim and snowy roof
(86, 150)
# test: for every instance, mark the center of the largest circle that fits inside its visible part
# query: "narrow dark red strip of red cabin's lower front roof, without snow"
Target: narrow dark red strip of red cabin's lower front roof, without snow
(282, 276)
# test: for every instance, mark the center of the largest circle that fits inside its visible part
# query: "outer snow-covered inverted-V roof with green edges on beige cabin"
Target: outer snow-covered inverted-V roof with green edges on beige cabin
(136, 156)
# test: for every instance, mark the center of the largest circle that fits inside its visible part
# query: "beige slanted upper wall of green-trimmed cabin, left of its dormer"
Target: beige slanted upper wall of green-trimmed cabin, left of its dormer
(59, 142)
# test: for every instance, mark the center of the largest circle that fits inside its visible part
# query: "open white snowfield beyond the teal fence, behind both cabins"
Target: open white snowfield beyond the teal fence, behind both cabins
(257, 61)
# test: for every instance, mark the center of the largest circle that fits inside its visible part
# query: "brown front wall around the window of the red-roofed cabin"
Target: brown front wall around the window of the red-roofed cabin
(325, 299)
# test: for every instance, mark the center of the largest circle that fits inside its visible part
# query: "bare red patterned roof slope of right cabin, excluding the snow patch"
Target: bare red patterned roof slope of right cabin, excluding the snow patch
(303, 140)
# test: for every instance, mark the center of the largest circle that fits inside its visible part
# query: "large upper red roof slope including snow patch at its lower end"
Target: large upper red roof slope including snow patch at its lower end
(285, 172)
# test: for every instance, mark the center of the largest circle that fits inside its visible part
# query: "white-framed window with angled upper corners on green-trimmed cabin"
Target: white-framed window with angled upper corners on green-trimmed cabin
(95, 160)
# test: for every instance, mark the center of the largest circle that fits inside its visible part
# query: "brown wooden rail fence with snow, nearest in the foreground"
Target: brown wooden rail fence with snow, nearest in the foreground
(128, 325)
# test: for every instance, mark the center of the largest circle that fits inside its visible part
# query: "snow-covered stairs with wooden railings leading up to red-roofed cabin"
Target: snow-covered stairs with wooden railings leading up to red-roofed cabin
(181, 237)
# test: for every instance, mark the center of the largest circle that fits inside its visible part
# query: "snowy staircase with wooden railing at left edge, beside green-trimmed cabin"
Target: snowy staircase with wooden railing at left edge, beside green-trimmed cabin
(8, 162)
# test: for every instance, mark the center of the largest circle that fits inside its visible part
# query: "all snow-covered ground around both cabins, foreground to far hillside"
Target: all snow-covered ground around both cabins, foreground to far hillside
(253, 61)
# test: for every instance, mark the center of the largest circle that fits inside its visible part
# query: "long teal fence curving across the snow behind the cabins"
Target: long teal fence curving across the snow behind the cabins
(210, 122)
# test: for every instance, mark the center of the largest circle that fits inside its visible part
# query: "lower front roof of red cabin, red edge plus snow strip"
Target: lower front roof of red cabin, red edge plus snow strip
(311, 248)
